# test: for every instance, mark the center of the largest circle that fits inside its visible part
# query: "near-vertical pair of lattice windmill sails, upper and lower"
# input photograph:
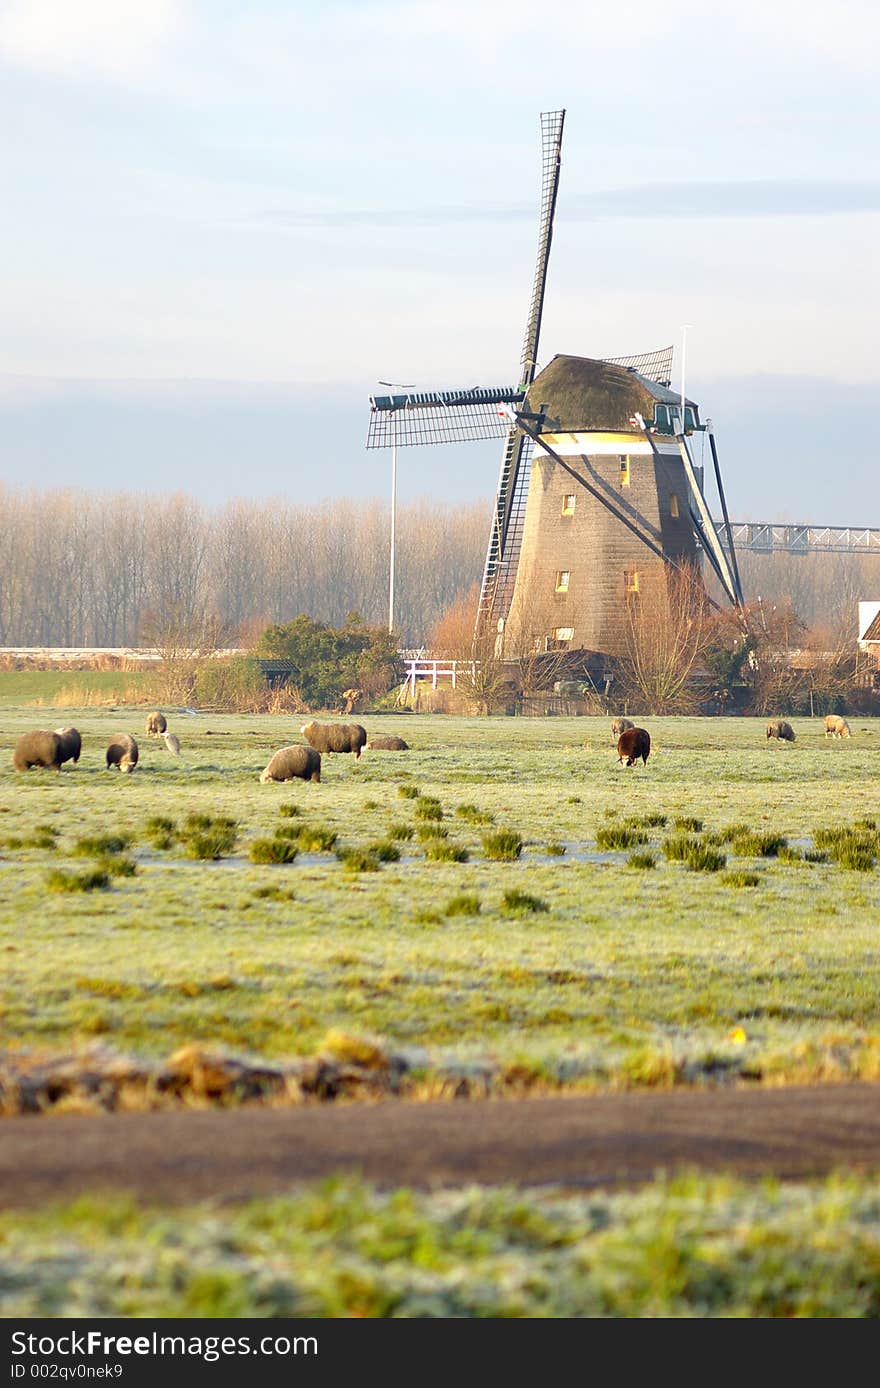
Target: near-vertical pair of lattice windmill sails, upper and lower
(506, 535)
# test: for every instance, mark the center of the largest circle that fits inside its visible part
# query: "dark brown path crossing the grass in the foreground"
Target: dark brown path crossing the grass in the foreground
(595, 1142)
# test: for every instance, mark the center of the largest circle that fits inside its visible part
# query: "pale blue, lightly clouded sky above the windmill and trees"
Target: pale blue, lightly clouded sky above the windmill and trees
(226, 223)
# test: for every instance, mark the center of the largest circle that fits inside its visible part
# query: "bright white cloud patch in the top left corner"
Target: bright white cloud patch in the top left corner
(113, 38)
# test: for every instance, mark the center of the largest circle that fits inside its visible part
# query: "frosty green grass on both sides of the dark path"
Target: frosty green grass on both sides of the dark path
(560, 967)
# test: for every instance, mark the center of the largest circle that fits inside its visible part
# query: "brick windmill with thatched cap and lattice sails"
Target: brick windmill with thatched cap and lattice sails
(598, 477)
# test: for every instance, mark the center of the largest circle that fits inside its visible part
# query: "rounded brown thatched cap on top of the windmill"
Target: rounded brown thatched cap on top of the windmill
(584, 393)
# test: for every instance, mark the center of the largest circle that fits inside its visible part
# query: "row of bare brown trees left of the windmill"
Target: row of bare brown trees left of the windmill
(103, 570)
